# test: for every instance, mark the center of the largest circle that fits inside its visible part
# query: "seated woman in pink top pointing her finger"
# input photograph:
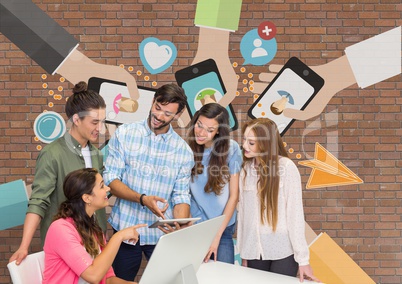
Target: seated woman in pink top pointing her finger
(75, 247)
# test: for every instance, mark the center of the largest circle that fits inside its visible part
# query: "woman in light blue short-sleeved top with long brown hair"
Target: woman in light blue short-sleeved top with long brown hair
(214, 179)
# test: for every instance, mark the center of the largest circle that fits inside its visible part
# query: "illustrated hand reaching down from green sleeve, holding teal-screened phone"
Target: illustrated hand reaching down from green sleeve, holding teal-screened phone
(214, 43)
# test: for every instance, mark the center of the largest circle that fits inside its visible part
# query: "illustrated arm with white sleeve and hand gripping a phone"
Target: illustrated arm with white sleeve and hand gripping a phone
(365, 63)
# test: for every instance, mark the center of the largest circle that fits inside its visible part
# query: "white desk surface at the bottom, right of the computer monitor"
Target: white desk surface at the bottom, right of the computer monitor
(219, 272)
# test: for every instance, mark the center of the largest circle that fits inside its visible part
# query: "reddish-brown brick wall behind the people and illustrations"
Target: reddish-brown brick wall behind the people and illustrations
(364, 133)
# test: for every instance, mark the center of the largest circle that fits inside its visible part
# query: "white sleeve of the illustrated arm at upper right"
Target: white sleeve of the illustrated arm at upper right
(376, 59)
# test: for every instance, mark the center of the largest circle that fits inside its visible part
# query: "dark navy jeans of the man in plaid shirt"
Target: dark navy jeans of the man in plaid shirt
(128, 260)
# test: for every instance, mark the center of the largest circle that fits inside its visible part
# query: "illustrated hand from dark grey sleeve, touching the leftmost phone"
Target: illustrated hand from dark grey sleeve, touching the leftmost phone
(79, 67)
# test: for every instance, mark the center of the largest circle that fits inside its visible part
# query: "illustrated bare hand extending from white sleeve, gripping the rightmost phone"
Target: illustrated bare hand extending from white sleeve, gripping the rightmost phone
(337, 76)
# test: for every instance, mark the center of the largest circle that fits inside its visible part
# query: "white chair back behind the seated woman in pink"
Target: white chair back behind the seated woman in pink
(30, 269)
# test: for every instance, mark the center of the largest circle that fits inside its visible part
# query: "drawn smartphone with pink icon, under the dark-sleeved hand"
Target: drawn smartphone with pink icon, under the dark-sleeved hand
(119, 106)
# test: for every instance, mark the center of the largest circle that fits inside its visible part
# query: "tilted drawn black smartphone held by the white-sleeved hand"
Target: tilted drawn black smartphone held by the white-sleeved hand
(293, 87)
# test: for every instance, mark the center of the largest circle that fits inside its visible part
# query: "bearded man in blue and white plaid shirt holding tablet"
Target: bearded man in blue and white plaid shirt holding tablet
(148, 169)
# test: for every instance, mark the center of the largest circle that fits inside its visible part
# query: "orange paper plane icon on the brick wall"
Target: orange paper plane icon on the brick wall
(328, 170)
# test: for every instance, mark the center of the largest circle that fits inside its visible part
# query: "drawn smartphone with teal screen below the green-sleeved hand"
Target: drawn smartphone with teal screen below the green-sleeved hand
(202, 84)
